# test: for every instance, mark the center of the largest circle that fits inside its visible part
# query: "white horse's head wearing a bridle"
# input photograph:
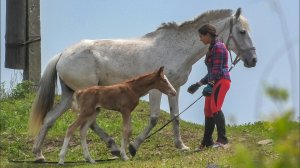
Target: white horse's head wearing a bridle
(239, 40)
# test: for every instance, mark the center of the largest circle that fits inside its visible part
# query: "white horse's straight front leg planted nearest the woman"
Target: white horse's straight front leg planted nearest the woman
(174, 110)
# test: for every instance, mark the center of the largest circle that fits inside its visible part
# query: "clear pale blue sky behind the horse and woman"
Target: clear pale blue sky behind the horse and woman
(66, 22)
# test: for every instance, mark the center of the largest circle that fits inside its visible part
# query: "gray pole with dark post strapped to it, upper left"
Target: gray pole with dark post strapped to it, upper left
(22, 38)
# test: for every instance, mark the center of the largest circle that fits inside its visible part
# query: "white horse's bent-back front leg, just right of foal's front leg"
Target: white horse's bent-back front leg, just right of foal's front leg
(154, 100)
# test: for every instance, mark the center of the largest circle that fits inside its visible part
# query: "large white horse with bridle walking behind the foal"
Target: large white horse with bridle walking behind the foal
(106, 62)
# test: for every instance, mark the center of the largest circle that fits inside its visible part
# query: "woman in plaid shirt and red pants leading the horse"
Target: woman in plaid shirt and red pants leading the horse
(217, 83)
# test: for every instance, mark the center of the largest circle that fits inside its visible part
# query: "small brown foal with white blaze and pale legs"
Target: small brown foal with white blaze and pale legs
(122, 97)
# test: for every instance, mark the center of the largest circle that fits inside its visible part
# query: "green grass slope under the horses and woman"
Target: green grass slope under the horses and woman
(158, 151)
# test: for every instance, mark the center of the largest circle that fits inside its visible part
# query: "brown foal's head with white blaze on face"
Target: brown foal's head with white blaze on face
(162, 83)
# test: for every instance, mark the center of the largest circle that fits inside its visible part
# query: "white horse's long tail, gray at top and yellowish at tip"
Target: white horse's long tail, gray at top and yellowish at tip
(44, 99)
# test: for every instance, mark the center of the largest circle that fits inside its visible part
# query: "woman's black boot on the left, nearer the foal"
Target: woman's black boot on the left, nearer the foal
(208, 131)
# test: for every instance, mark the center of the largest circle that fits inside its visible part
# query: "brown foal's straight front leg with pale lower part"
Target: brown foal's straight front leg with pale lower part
(126, 133)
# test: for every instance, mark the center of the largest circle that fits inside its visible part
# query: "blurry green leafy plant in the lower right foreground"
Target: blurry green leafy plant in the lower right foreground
(285, 137)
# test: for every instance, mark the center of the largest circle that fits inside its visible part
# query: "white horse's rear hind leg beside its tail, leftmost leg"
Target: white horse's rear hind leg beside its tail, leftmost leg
(49, 120)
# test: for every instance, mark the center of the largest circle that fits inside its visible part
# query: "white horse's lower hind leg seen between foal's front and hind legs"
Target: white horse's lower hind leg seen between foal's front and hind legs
(110, 142)
